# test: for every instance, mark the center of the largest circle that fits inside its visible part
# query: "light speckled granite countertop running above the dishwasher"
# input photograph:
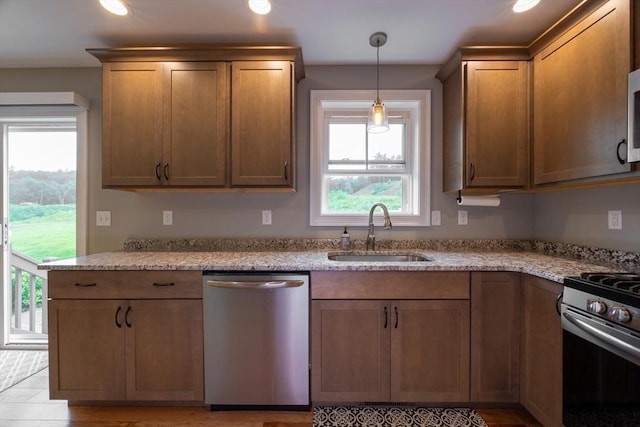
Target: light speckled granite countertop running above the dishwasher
(544, 266)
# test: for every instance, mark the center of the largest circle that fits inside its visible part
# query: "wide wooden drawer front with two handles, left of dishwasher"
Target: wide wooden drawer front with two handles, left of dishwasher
(125, 284)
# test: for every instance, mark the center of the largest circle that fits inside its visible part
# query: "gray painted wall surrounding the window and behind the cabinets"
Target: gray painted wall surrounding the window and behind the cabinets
(238, 214)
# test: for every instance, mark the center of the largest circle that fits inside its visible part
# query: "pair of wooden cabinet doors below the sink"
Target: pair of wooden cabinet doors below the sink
(390, 350)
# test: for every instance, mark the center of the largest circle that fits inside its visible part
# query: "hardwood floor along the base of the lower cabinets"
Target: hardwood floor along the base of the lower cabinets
(27, 404)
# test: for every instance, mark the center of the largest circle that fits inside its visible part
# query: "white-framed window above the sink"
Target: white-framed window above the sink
(351, 169)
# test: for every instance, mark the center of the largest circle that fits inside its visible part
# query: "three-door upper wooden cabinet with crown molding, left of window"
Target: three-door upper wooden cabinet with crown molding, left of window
(199, 117)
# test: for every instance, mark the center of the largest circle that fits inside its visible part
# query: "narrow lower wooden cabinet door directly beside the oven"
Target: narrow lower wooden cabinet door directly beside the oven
(541, 392)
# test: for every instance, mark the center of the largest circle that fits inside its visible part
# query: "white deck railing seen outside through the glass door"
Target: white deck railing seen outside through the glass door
(27, 266)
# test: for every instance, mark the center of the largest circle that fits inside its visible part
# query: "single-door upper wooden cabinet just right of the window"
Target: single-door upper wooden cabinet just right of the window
(485, 120)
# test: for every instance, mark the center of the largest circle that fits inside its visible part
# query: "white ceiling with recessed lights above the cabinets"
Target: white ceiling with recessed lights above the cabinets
(55, 33)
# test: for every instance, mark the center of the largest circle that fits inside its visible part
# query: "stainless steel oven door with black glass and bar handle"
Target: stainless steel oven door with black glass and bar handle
(601, 386)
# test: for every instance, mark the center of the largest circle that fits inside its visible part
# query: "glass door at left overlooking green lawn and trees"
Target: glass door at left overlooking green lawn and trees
(38, 218)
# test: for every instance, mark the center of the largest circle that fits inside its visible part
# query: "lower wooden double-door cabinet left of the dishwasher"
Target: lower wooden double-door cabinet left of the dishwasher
(108, 349)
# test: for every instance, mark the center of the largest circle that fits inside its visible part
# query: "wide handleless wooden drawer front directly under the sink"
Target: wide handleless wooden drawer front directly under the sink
(389, 285)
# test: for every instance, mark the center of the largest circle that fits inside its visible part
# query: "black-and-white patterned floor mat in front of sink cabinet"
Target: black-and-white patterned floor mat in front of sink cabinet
(341, 416)
